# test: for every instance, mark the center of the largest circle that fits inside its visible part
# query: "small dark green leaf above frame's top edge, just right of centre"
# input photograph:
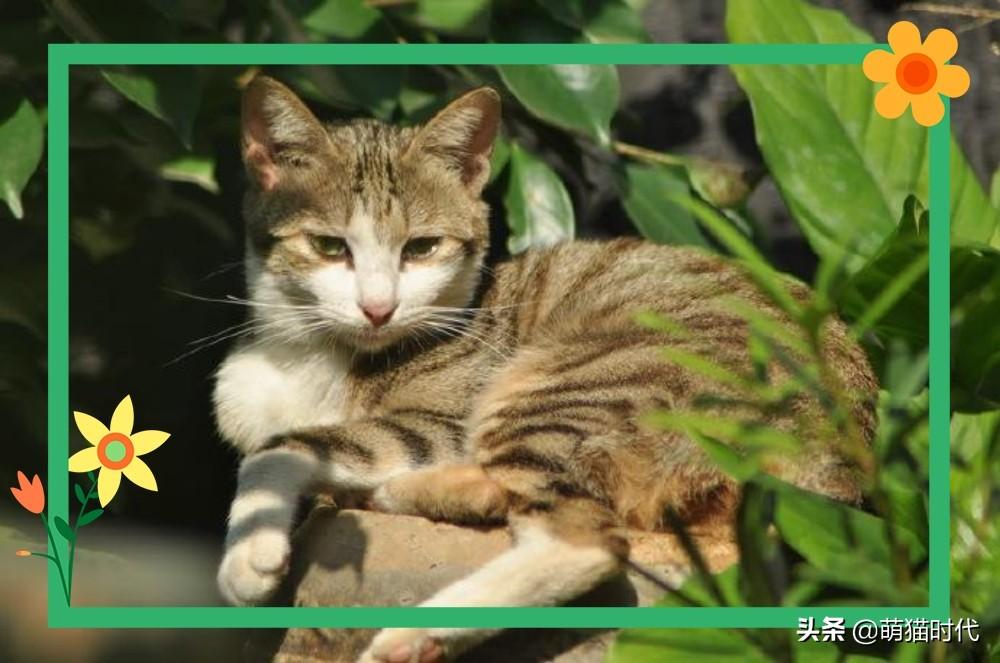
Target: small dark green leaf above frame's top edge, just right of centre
(599, 21)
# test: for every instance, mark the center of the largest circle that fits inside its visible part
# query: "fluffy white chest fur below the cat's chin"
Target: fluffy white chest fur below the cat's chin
(262, 391)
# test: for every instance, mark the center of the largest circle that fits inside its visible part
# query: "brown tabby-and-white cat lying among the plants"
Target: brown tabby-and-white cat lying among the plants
(387, 360)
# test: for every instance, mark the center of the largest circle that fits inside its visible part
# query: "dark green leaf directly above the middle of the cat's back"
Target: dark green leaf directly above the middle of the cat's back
(644, 190)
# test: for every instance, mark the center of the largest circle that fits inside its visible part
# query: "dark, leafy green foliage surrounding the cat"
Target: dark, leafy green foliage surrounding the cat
(675, 154)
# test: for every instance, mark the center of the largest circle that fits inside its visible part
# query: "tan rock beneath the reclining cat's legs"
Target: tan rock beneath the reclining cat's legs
(358, 558)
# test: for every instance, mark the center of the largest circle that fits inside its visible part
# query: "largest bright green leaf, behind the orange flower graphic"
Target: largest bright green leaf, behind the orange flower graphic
(843, 170)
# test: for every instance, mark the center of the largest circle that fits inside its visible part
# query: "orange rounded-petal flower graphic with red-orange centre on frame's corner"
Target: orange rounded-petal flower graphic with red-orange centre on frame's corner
(916, 73)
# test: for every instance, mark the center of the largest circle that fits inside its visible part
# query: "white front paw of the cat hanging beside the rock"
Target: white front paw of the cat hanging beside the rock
(253, 566)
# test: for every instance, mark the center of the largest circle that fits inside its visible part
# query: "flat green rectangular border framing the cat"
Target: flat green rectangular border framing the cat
(61, 56)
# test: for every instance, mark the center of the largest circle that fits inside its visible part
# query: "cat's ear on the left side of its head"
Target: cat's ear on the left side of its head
(278, 132)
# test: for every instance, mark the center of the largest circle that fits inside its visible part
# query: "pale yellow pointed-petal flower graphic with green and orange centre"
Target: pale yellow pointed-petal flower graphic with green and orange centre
(116, 450)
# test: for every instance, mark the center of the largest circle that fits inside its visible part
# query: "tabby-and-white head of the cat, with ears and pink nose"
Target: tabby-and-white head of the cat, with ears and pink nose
(363, 232)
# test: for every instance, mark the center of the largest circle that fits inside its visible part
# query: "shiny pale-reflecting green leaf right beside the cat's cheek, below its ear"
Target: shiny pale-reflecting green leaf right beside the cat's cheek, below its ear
(539, 210)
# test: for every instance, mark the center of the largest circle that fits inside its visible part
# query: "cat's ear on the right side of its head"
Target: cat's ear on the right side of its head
(462, 135)
